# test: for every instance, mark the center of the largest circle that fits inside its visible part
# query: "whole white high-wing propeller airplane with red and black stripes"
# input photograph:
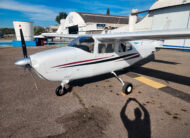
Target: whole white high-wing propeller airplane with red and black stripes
(93, 55)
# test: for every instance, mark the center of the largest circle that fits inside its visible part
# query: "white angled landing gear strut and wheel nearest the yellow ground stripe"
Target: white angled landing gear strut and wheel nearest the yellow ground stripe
(127, 87)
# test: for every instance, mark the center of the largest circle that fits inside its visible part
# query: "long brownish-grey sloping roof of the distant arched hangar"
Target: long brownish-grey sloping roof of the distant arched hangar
(103, 18)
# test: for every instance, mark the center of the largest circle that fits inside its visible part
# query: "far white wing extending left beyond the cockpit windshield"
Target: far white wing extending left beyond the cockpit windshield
(60, 35)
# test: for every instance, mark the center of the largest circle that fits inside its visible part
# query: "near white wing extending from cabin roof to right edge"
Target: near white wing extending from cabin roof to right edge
(154, 35)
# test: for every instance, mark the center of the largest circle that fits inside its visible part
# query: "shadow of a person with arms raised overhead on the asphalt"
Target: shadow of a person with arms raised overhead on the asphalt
(137, 128)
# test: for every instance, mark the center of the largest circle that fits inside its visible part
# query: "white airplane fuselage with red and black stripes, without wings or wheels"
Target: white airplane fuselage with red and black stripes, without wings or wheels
(73, 62)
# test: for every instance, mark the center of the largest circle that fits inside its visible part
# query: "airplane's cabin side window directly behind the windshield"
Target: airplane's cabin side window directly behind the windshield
(106, 48)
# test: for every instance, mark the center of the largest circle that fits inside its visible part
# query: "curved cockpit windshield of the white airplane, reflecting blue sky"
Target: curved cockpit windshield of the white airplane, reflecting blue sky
(85, 43)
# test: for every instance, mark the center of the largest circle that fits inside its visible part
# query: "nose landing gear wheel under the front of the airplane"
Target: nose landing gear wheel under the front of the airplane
(62, 90)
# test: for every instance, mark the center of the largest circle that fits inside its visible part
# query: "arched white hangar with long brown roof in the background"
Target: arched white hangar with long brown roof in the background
(89, 23)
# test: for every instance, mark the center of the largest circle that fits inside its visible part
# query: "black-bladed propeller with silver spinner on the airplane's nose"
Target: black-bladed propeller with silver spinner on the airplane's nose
(25, 62)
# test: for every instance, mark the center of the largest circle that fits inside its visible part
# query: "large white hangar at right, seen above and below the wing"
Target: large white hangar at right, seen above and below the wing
(163, 15)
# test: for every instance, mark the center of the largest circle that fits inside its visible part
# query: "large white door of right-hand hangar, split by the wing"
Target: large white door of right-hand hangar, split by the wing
(172, 18)
